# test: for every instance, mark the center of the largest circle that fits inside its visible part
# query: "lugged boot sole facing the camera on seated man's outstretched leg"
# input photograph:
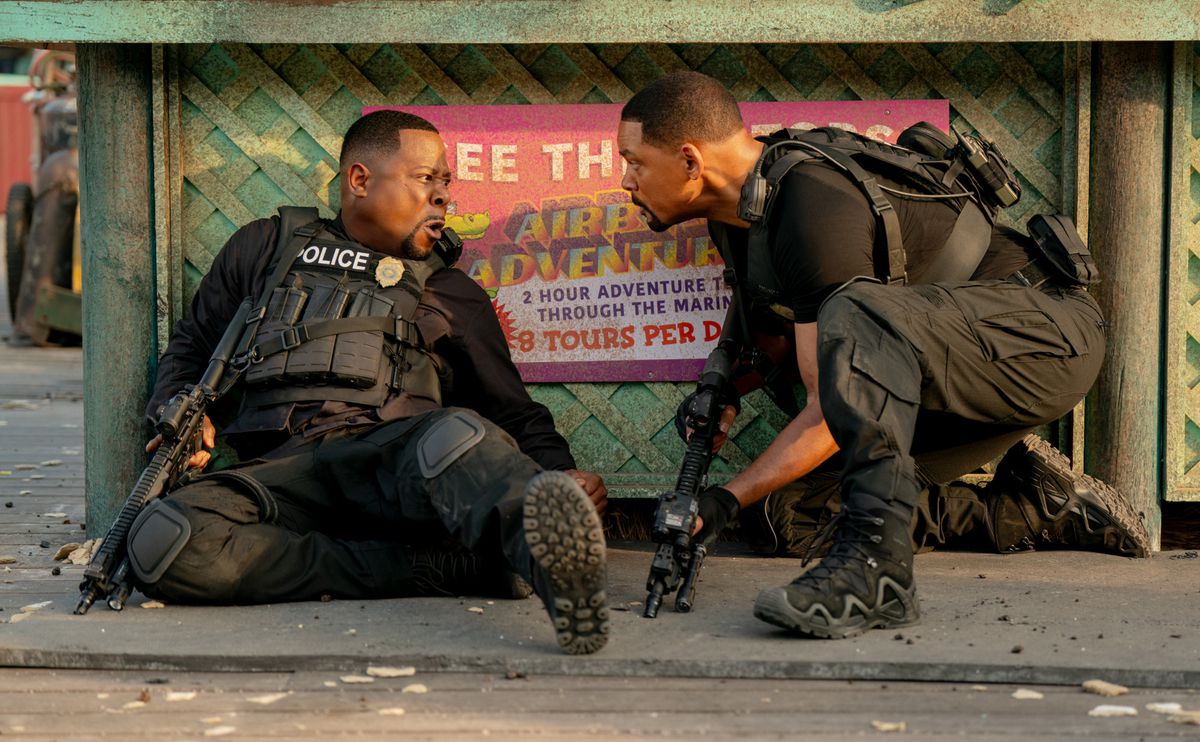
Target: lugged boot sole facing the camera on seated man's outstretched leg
(565, 536)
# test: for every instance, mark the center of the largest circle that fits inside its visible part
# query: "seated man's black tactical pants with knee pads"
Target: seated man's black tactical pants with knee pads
(341, 516)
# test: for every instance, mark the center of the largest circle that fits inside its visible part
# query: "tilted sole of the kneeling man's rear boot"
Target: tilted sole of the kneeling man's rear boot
(1125, 535)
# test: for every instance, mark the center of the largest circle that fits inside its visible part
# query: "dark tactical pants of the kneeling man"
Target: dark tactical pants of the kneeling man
(921, 385)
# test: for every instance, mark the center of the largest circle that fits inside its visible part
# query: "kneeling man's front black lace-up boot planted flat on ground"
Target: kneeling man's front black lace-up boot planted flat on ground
(865, 583)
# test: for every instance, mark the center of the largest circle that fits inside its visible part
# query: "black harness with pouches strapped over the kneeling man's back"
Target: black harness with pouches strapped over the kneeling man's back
(971, 176)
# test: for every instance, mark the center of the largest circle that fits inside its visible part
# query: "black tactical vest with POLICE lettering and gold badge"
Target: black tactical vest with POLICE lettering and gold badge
(338, 321)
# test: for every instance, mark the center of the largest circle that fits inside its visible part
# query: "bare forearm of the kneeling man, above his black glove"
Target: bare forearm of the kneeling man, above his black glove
(799, 450)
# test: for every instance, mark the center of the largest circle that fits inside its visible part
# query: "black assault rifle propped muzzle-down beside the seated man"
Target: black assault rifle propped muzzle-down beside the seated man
(179, 424)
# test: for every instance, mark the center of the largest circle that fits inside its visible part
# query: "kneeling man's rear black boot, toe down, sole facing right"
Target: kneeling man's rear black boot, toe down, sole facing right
(1039, 502)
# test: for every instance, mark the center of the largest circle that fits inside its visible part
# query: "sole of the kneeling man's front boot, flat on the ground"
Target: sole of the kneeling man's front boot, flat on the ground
(776, 609)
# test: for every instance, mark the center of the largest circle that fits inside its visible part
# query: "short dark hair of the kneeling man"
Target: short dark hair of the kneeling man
(683, 106)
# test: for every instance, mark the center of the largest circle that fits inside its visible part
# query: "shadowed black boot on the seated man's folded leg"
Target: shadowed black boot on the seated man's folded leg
(457, 572)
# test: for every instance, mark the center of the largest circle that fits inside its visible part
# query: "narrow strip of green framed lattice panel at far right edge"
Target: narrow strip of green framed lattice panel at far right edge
(1184, 300)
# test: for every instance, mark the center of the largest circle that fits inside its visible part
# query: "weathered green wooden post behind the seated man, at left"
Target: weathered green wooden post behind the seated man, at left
(118, 298)
